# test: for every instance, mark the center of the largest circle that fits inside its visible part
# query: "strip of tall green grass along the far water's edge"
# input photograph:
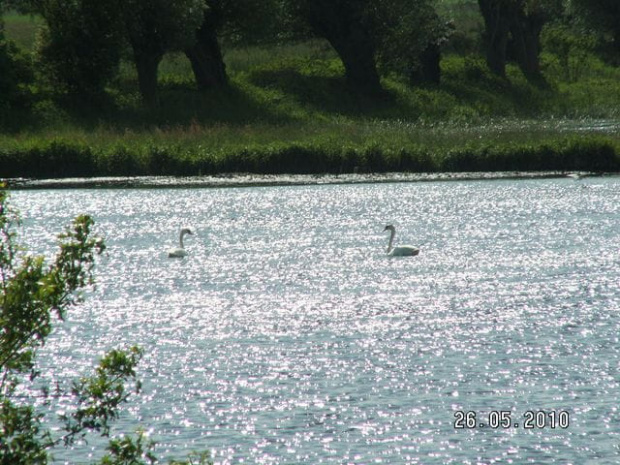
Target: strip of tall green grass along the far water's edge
(343, 148)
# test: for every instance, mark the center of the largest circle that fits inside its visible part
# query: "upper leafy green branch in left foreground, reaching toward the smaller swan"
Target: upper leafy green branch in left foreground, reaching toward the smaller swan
(32, 291)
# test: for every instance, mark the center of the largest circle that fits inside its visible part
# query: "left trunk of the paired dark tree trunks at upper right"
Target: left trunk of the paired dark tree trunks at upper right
(497, 18)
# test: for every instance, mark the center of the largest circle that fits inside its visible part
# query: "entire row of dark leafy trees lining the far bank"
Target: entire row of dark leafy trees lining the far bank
(83, 41)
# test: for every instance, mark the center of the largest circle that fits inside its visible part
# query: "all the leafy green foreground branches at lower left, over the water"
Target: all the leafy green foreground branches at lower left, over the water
(34, 294)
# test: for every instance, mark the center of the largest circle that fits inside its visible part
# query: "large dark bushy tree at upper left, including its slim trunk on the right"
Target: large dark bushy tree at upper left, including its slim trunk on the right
(81, 43)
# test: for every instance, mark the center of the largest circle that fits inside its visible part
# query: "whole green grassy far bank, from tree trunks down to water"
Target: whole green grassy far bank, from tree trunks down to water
(288, 110)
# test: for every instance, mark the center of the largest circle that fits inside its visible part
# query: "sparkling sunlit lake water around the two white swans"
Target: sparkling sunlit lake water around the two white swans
(287, 336)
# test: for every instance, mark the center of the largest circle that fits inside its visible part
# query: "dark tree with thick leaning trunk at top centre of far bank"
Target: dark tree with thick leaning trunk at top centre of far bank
(403, 36)
